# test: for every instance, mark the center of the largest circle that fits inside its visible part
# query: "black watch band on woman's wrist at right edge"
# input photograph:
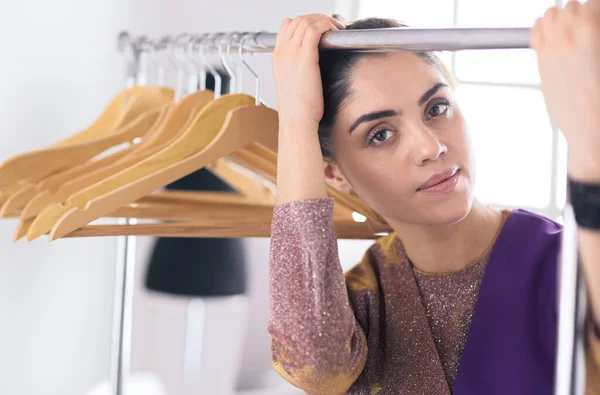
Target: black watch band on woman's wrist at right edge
(585, 199)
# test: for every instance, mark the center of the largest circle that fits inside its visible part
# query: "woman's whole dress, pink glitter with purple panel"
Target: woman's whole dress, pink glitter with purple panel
(370, 331)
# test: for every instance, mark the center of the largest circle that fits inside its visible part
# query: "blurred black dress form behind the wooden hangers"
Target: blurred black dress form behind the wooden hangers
(198, 266)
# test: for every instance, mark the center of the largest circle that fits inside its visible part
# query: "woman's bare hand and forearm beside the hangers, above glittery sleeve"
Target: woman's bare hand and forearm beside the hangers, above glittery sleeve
(300, 105)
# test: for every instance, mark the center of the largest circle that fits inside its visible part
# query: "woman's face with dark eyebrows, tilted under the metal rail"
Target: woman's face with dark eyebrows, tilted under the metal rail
(399, 126)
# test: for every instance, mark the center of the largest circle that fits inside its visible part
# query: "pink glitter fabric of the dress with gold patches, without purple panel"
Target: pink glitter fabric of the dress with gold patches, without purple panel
(381, 328)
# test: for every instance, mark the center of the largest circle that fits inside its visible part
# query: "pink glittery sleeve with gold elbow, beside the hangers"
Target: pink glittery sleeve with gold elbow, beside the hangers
(316, 343)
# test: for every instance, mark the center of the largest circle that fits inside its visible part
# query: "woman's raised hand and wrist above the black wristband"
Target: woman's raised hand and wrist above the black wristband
(567, 43)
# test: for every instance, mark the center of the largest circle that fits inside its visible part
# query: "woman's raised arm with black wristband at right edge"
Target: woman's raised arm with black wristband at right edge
(567, 45)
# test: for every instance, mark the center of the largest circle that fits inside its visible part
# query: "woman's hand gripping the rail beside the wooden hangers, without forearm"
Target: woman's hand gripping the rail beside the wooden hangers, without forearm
(295, 63)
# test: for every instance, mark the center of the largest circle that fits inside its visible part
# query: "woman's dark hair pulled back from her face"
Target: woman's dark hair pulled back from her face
(335, 71)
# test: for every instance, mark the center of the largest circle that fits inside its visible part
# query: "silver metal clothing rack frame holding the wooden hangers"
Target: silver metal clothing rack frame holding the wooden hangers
(570, 366)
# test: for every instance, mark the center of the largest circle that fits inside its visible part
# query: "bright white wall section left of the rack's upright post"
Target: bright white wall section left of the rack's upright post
(59, 67)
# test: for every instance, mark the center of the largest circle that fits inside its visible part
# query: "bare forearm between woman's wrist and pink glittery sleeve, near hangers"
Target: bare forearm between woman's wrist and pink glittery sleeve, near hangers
(299, 163)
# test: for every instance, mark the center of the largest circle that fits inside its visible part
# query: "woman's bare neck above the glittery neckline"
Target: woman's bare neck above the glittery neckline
(446, 249)
